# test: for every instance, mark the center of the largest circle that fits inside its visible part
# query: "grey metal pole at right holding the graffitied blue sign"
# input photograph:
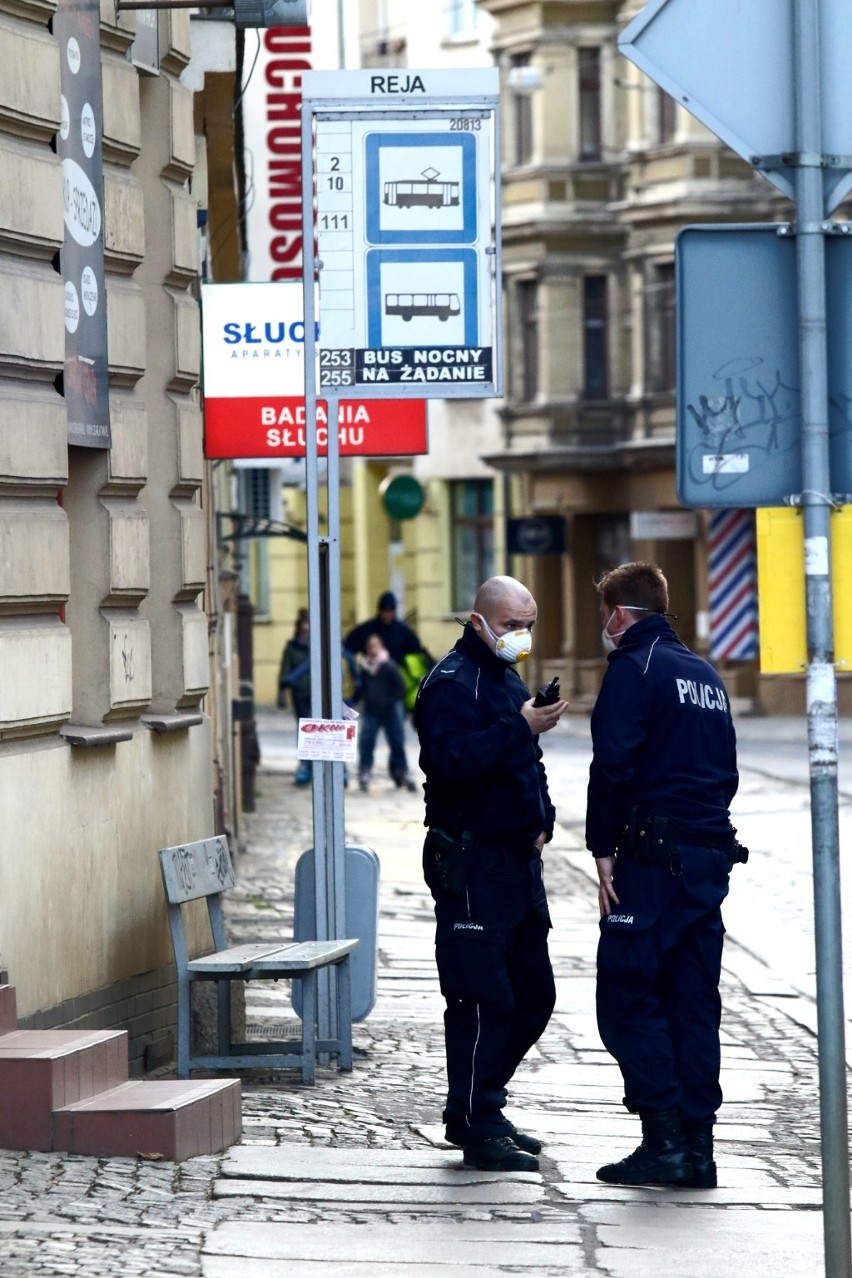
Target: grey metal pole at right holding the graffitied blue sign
(822, 682)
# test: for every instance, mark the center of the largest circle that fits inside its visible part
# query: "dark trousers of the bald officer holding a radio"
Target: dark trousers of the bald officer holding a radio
(496, 976)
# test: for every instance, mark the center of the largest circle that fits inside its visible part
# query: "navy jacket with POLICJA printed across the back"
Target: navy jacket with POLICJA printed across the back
(664, 739)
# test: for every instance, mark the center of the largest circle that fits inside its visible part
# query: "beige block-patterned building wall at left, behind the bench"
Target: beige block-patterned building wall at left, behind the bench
(107, 643)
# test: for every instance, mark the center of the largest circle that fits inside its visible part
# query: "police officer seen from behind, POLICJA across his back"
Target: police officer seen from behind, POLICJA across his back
(662, 779)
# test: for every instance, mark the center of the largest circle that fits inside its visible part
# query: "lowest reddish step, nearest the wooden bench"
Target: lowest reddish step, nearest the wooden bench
(171, 1119)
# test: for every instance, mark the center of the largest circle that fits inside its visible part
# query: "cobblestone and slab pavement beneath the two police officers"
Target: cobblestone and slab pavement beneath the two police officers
(354, 1171)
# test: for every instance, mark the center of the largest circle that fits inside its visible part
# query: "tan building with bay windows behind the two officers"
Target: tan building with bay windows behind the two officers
(601, 171)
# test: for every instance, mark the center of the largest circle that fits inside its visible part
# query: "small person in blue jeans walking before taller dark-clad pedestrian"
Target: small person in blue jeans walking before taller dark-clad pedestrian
(381, 692)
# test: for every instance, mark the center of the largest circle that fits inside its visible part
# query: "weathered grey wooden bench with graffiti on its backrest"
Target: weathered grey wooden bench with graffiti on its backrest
(204, 871)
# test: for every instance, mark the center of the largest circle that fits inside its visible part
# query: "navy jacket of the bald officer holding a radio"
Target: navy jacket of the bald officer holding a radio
(482, 764)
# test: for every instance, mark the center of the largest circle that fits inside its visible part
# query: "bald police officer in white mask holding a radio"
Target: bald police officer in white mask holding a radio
(490, 813)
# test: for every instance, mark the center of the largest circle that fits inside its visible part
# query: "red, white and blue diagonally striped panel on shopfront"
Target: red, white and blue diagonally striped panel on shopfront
(734, 586)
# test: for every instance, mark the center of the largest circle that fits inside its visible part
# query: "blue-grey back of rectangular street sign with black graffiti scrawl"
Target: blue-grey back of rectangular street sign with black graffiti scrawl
(739, 415)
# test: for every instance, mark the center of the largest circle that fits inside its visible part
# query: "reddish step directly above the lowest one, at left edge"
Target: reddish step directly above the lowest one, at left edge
(44, 1070)
